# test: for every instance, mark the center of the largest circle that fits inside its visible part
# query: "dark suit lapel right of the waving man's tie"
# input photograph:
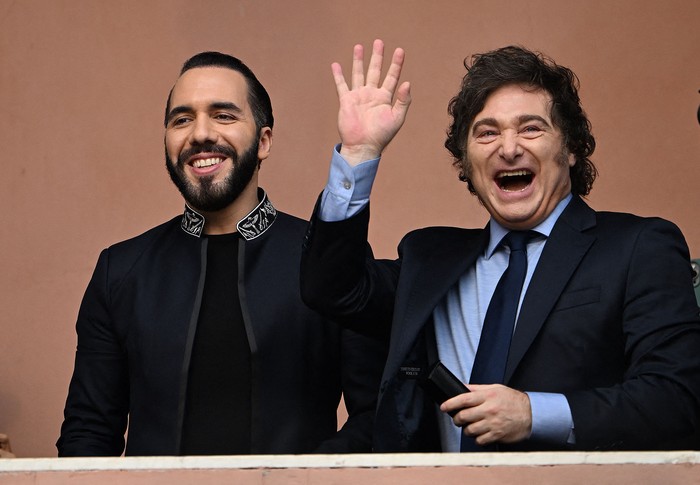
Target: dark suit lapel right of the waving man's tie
(562, 254)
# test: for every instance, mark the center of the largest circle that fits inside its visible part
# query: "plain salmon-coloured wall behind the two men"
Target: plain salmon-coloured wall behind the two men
(82, 92)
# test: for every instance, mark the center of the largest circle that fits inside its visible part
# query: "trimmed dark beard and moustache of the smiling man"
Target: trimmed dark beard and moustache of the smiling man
(206, 196)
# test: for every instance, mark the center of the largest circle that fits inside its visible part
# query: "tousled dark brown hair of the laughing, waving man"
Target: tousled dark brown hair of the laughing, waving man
(517, 65)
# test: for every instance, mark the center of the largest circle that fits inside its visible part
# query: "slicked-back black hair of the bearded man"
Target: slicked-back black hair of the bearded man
(258, 98)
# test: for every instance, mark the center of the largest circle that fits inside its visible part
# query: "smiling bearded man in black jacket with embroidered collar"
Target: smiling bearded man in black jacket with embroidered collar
(194, 332)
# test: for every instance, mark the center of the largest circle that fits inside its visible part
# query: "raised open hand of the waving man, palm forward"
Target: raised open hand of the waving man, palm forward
(367, 118)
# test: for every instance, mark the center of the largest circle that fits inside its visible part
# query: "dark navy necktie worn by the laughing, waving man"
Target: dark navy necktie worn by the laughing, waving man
(492, 354)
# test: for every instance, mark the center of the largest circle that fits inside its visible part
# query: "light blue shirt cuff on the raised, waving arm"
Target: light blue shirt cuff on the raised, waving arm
(348, 188)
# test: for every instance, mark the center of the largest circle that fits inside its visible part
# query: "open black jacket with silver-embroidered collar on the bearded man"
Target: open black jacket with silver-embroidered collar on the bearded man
(136, 329)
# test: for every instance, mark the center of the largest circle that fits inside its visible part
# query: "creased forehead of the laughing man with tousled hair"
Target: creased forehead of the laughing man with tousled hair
(515, 100)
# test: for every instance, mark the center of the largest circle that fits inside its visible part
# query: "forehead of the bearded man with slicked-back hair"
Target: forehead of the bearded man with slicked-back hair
(204, 85)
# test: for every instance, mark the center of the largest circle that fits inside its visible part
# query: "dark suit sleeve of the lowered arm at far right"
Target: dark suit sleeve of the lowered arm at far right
(656, 404)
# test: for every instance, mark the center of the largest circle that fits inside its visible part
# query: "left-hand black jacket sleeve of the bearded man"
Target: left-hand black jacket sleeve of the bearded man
(95, 415)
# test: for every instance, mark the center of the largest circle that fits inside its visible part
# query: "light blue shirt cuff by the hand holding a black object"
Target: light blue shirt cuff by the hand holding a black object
(551, 418)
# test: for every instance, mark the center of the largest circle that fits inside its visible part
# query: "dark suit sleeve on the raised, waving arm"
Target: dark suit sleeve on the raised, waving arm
(341, 279)
